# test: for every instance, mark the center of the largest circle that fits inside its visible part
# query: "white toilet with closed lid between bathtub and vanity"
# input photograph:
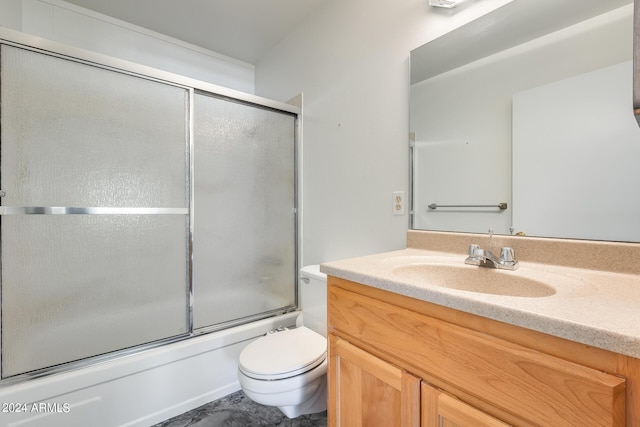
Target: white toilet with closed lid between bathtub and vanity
(288, 368)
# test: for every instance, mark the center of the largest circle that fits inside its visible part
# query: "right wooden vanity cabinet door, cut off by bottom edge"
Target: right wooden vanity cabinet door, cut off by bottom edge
(442, 410)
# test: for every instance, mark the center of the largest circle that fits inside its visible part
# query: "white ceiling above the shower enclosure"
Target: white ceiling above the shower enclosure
(243, 29)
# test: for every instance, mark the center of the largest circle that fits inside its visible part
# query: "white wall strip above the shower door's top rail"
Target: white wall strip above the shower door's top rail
(66, 23)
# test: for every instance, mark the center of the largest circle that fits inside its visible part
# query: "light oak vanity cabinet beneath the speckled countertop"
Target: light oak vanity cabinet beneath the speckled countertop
(398, 361)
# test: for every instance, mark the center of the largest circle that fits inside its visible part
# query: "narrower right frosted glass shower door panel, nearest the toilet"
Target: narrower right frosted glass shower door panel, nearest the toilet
(244, 247)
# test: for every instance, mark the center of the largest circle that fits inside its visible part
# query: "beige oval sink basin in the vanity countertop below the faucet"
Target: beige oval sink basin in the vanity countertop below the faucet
(475, 279)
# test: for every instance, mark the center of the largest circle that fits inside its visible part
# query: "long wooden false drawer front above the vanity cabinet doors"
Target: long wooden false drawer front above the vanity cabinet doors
(533, 386)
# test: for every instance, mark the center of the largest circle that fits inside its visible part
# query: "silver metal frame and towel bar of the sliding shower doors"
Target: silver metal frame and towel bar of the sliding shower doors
(43, 46)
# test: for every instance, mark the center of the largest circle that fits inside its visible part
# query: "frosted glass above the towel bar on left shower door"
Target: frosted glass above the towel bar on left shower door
(109, 139)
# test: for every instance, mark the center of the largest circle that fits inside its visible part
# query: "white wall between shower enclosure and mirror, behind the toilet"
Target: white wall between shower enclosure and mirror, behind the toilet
(351, 60)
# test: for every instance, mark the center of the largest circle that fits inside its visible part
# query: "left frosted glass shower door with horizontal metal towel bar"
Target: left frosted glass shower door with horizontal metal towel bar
(94, 225)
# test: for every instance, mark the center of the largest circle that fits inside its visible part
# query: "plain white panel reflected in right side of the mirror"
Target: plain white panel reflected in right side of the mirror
(588, 126)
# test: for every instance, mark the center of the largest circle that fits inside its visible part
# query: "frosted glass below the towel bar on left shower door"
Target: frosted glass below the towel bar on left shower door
(75, 286)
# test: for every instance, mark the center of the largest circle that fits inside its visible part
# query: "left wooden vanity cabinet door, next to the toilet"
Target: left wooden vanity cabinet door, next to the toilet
(367, 391)
